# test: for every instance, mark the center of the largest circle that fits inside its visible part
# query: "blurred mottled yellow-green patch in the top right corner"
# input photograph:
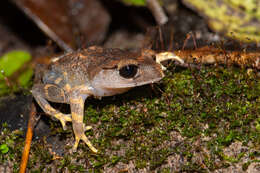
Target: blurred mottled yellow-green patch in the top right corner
(238, 19)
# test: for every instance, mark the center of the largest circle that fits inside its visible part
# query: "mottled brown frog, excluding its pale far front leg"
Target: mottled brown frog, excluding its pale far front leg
(91, 72)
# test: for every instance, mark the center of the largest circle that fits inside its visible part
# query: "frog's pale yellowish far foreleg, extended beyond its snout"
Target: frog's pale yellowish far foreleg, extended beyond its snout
(163, 56)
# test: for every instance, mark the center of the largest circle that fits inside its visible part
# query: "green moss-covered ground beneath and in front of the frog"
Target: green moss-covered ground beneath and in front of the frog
(194, 121)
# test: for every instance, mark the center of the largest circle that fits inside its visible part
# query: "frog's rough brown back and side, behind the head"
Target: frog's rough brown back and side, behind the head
(80, 67)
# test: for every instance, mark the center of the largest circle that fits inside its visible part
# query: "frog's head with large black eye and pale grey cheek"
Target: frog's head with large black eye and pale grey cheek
(120, 74)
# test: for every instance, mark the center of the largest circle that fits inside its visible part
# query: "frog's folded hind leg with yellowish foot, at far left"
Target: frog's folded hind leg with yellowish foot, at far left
(51, 92)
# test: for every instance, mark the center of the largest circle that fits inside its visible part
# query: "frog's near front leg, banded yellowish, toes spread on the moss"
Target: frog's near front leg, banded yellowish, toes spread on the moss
(77, 113)
